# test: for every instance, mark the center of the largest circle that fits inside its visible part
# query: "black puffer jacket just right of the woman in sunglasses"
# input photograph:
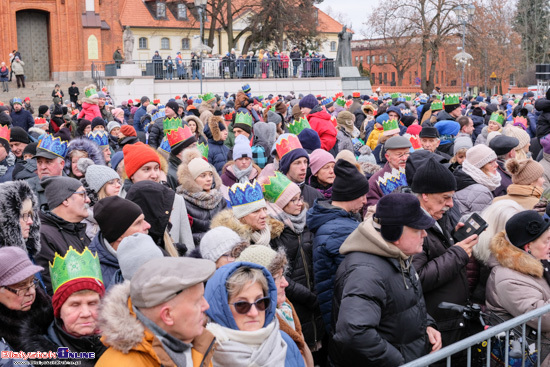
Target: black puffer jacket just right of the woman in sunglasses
(301, 290)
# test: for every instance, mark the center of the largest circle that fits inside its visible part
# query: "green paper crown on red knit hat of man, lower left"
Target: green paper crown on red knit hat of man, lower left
(74, 265)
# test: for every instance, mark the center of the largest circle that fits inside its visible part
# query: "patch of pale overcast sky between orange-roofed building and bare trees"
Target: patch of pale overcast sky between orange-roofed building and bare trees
(356, 11)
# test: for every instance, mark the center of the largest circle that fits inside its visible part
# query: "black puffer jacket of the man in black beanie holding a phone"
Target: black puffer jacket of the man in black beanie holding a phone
(441, 267)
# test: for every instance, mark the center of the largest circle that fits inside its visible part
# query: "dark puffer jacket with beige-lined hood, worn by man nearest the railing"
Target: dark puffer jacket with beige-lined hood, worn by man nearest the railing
(377, 279)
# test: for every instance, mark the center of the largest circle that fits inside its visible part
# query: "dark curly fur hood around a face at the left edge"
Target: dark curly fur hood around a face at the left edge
(12, 196)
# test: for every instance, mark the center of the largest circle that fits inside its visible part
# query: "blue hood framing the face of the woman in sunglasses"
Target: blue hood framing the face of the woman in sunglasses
(215, 293)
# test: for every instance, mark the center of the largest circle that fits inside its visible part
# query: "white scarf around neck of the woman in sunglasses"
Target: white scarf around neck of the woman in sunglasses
(264, 347)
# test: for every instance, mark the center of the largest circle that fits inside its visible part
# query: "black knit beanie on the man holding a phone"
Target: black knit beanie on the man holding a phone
(432, 177)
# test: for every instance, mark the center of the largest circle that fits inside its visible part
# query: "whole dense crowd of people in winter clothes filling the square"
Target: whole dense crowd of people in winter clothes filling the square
(249, 230)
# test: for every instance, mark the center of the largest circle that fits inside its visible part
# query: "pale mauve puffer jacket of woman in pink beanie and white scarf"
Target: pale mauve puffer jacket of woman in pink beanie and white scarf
(470, 196)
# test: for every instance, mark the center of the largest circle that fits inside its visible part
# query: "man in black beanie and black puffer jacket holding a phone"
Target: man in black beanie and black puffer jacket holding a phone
(441, 265)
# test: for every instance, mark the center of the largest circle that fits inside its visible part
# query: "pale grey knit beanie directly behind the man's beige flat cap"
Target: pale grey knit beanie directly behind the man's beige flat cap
(134, 251)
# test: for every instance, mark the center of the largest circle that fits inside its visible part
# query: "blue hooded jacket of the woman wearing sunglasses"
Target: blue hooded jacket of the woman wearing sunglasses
(219, 312)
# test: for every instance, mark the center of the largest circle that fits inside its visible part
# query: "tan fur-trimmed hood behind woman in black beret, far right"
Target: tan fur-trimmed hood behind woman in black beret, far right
(511, 257)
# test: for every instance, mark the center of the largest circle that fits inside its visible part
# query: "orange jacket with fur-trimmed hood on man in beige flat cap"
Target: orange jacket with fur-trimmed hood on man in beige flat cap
(130, 343)
